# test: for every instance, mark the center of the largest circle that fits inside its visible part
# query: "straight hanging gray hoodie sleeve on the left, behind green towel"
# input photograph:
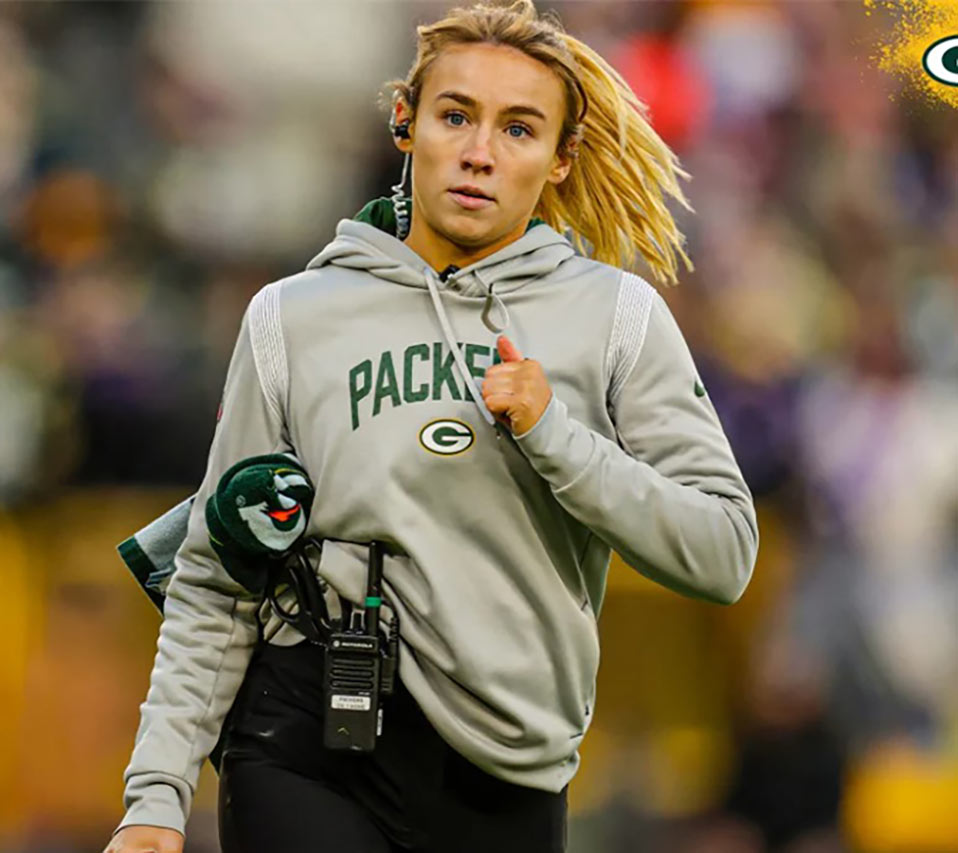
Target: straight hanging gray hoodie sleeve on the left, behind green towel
(209, 626)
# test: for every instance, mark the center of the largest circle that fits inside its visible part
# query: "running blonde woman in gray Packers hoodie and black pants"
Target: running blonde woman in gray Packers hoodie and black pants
(474, 380)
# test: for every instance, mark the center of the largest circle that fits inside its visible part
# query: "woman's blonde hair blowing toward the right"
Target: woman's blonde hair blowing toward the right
(613, 198)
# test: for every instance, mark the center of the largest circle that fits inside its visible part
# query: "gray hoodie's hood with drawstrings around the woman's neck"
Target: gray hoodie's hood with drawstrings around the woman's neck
(366, 243)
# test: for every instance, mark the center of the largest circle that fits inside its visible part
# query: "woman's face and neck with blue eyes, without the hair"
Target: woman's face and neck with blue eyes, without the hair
(484, 144)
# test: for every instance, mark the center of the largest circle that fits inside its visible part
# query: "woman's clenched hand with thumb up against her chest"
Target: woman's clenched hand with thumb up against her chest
(516, 391)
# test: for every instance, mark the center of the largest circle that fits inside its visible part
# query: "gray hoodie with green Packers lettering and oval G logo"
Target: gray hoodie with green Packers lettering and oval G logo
(366, 366)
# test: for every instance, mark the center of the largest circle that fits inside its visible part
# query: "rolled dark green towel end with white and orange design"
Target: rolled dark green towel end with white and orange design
(260, 510)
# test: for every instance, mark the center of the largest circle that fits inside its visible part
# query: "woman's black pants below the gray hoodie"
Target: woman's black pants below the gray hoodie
(281, 791)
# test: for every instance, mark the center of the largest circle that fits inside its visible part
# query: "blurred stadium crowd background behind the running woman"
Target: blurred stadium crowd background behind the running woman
(160, 162)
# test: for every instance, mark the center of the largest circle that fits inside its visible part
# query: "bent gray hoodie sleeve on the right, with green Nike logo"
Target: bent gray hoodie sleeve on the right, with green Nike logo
(669, 496)
